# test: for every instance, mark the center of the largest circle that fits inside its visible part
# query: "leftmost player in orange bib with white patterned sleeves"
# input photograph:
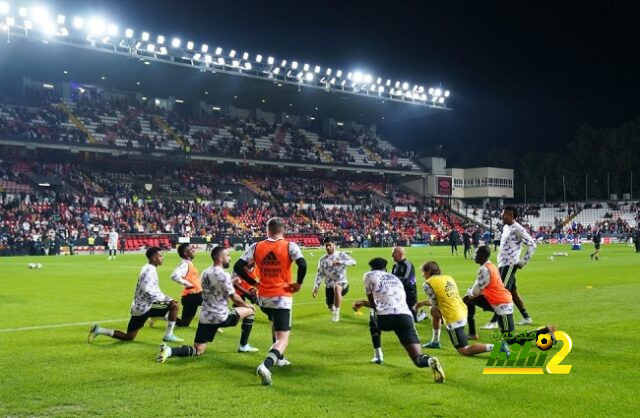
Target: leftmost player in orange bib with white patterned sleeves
(187, 275)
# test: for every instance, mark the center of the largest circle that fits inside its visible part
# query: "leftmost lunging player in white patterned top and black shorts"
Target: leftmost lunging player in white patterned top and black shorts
(148, 301)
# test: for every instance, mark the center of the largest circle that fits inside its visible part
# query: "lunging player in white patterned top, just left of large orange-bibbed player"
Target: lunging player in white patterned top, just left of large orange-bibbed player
(217, 289)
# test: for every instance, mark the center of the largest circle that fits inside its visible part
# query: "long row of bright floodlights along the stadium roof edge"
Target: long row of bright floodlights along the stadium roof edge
(38, 23)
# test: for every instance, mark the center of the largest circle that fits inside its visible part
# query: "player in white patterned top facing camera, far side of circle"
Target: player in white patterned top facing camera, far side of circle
(332, 268)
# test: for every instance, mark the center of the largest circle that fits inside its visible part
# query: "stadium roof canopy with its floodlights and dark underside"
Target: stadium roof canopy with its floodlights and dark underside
(244, 79)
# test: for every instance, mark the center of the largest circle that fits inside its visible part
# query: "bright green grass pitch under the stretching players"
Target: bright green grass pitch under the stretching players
(53, 371)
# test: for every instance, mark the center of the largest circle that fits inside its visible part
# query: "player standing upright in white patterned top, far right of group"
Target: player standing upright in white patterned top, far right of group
(513, 236)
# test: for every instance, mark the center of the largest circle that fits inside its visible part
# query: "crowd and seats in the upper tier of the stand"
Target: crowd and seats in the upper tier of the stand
(120, 121)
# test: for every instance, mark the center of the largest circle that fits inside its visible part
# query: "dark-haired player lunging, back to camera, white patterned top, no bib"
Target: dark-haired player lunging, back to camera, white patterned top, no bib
(390, 312)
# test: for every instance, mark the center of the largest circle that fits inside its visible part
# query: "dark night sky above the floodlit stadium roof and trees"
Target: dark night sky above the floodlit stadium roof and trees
(526, 74)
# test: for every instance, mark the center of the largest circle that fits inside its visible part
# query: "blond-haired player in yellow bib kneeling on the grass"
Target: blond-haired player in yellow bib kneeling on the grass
(446, 304)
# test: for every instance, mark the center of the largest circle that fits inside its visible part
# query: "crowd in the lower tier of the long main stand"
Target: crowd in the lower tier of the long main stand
(197, 203)
